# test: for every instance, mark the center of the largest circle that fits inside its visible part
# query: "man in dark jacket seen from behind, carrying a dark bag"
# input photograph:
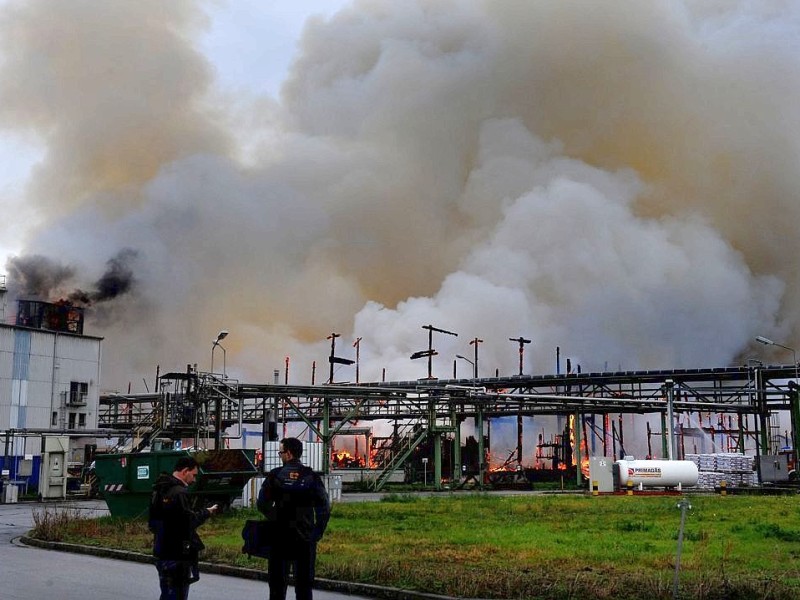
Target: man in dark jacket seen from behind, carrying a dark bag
(293, 497)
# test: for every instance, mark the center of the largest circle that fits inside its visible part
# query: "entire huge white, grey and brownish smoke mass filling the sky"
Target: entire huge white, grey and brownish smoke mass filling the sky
(619, 180)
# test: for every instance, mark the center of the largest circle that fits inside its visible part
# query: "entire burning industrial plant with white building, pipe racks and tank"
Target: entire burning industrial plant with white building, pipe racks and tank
(730, 427)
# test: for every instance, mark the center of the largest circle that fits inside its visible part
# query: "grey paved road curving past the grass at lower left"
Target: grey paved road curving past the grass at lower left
(28, 573)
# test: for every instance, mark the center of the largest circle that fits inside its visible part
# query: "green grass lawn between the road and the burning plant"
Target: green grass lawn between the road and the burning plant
(542, 546)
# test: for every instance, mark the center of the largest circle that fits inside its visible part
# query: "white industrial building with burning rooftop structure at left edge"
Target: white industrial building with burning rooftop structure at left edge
(49, 383)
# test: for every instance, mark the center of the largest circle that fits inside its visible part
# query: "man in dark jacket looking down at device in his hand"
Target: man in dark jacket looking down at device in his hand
(176, 544)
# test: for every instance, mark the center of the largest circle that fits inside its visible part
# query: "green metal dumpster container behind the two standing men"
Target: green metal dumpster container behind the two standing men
(126, 480)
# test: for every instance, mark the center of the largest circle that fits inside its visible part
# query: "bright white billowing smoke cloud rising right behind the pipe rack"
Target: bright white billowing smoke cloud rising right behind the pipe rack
(569, 260)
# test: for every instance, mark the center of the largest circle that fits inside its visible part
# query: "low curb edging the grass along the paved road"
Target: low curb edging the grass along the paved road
(331, 585)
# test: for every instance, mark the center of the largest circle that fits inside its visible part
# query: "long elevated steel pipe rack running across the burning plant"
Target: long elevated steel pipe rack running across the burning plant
(202, 404)
